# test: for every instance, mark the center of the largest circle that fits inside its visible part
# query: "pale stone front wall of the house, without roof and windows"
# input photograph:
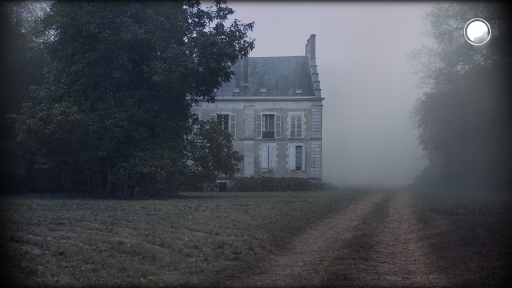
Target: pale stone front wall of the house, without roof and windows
(246, 142)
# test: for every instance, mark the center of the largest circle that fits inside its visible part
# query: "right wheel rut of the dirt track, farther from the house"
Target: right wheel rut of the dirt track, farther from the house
(397, 258)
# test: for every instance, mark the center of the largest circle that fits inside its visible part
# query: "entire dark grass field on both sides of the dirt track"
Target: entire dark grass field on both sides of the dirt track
(205, 238)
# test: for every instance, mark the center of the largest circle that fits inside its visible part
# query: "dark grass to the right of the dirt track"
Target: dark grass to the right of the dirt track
(470, 234)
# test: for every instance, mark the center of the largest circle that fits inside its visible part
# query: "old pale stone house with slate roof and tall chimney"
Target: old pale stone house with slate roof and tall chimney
(273, 109)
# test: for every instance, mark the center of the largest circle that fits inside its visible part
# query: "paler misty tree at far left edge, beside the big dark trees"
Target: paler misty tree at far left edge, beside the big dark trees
(21, 66)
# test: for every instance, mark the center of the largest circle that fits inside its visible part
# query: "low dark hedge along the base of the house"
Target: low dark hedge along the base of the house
(252, 183)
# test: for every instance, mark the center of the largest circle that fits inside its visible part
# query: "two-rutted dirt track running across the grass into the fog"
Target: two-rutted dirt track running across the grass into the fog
(321, 255)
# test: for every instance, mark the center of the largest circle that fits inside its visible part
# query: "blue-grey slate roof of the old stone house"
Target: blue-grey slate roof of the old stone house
(281, 76)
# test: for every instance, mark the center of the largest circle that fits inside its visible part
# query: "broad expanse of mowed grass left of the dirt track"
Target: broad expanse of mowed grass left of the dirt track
(196, 239)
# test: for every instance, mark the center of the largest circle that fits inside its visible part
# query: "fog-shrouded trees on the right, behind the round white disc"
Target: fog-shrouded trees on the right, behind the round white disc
(464, 118)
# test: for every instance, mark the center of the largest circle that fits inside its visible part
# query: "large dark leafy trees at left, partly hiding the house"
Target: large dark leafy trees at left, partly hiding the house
(113, 113)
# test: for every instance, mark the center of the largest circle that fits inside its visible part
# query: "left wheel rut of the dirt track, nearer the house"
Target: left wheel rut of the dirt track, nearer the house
(300, 264)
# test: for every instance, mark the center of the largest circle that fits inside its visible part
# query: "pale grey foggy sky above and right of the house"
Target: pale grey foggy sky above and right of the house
(368, 85)
